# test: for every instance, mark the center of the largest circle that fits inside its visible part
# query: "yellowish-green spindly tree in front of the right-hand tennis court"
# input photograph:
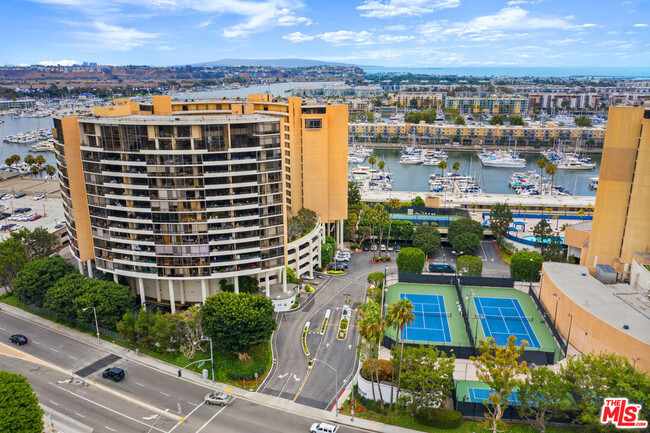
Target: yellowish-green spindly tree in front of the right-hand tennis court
(499, 368)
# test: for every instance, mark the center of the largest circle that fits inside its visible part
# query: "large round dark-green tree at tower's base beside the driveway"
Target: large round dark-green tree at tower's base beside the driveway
(237, 322)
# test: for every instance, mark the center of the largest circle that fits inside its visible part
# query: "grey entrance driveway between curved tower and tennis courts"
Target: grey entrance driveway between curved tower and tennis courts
(290, 377)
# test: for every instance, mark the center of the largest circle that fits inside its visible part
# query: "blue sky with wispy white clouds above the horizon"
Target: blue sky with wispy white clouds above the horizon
(434, 33)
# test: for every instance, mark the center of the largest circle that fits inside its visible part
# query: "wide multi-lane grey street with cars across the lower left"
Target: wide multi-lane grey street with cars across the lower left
(126, 406)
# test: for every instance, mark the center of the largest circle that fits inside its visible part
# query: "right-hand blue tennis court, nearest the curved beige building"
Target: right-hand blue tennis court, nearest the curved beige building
(503, 317)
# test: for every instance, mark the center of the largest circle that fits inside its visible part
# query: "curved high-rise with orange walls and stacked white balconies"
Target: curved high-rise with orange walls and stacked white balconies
(176, 195)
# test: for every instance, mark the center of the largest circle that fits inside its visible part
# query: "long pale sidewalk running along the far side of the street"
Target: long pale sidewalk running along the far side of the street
(172, 370)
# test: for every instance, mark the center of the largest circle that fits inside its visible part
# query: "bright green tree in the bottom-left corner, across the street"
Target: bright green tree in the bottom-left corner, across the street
(19, 408)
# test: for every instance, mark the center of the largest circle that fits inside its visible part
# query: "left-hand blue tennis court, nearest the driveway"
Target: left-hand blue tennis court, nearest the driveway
(430, 324)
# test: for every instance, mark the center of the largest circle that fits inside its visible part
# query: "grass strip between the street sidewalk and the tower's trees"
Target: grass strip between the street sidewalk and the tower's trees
(227, 366)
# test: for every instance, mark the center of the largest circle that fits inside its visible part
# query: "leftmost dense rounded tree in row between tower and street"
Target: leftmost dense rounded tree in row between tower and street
(38, 276)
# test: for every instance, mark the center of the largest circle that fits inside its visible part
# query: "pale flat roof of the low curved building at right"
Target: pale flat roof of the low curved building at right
(615, 304)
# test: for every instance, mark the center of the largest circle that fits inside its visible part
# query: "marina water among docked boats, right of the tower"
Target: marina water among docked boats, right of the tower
(415, 178)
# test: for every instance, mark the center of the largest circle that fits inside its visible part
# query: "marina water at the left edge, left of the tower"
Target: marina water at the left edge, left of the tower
(24, 124)
